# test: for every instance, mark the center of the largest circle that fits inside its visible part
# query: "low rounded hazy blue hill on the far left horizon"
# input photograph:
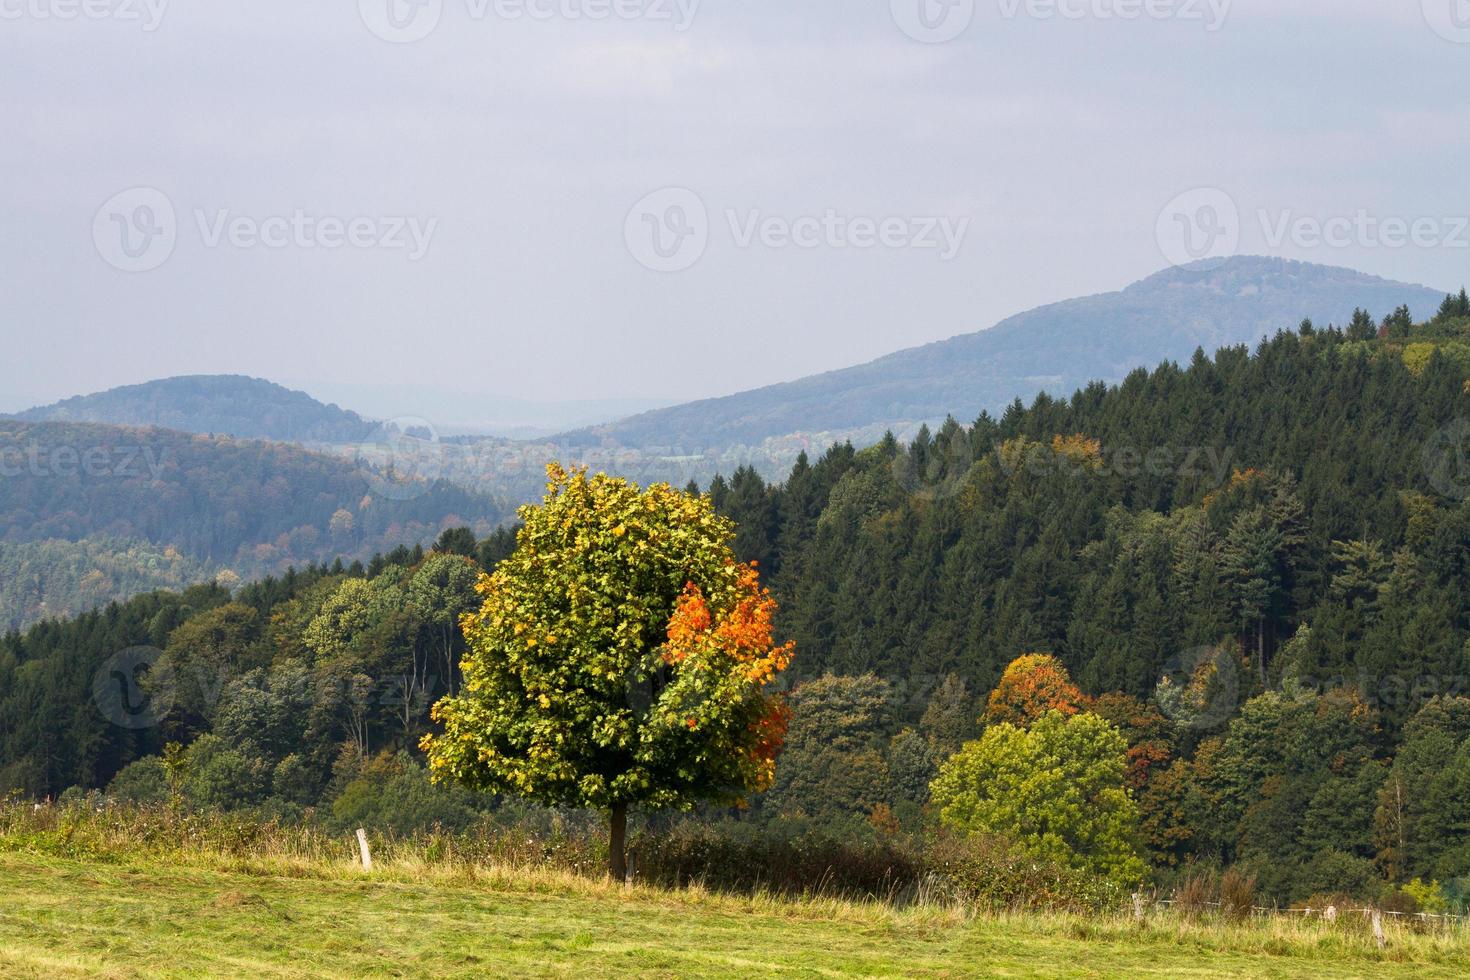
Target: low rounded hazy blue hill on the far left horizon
(223, 405)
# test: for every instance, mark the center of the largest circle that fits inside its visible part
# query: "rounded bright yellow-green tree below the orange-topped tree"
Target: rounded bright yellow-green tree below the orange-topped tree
(1056, 791)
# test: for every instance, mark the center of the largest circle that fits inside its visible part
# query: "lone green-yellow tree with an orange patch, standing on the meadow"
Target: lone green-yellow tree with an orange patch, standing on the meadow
(620, 659)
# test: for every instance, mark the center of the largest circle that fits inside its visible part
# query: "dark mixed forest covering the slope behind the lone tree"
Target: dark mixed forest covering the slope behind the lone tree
(1252, 571)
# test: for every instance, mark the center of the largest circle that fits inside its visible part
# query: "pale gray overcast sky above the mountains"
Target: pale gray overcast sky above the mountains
(1046, 146)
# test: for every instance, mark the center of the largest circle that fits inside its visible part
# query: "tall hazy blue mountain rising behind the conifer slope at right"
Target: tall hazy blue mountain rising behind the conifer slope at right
(1055, 349)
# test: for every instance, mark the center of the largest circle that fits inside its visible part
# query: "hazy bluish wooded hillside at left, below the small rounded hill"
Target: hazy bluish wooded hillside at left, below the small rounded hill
(92, 514)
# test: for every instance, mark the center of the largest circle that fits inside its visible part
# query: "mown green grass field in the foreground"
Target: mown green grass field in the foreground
(65, 916)
